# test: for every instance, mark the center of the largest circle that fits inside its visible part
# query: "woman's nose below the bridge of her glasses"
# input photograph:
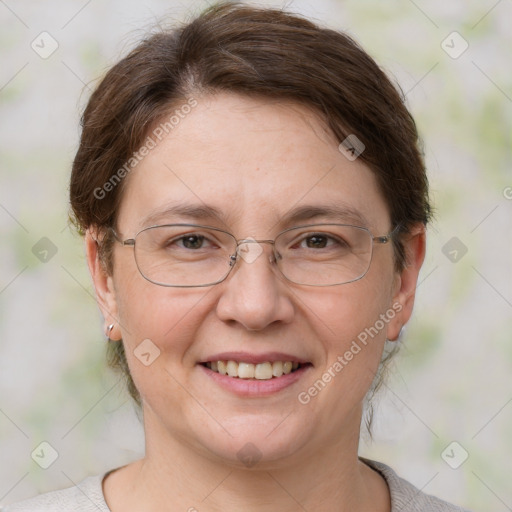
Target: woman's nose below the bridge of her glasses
(255, 294)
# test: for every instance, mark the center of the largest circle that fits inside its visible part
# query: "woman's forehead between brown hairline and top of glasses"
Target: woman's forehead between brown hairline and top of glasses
(238, 161)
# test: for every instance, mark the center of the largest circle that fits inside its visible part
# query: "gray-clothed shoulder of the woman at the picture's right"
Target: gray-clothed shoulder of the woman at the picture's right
(407, 498)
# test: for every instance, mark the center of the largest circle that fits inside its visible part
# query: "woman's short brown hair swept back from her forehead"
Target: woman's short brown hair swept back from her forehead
(253, 51)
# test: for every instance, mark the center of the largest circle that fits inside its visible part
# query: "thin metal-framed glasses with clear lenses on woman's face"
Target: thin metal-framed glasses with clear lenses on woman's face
(191, 255)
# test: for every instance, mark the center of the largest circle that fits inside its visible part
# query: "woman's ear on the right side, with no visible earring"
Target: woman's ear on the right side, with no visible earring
(406, 281)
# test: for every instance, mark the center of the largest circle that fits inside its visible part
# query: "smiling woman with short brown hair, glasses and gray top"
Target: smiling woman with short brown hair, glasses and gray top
(254, 206)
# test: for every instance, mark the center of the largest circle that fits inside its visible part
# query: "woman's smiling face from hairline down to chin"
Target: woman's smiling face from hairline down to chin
(254, 161)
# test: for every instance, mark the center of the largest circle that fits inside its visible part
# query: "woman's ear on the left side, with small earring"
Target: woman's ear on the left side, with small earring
(103, 285)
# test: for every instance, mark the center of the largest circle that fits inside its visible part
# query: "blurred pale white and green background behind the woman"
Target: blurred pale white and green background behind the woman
(452, 380)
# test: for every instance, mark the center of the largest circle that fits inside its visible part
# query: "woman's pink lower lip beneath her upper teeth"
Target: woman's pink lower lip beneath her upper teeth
(253, 387)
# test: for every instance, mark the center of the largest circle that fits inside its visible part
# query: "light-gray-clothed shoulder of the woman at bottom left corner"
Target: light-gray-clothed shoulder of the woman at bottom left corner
(87, 496)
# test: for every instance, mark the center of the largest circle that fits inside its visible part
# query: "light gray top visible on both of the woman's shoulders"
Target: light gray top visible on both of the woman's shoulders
(87, 496)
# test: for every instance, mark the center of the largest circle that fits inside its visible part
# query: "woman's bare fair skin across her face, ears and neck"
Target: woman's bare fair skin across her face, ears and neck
(254, 160)
